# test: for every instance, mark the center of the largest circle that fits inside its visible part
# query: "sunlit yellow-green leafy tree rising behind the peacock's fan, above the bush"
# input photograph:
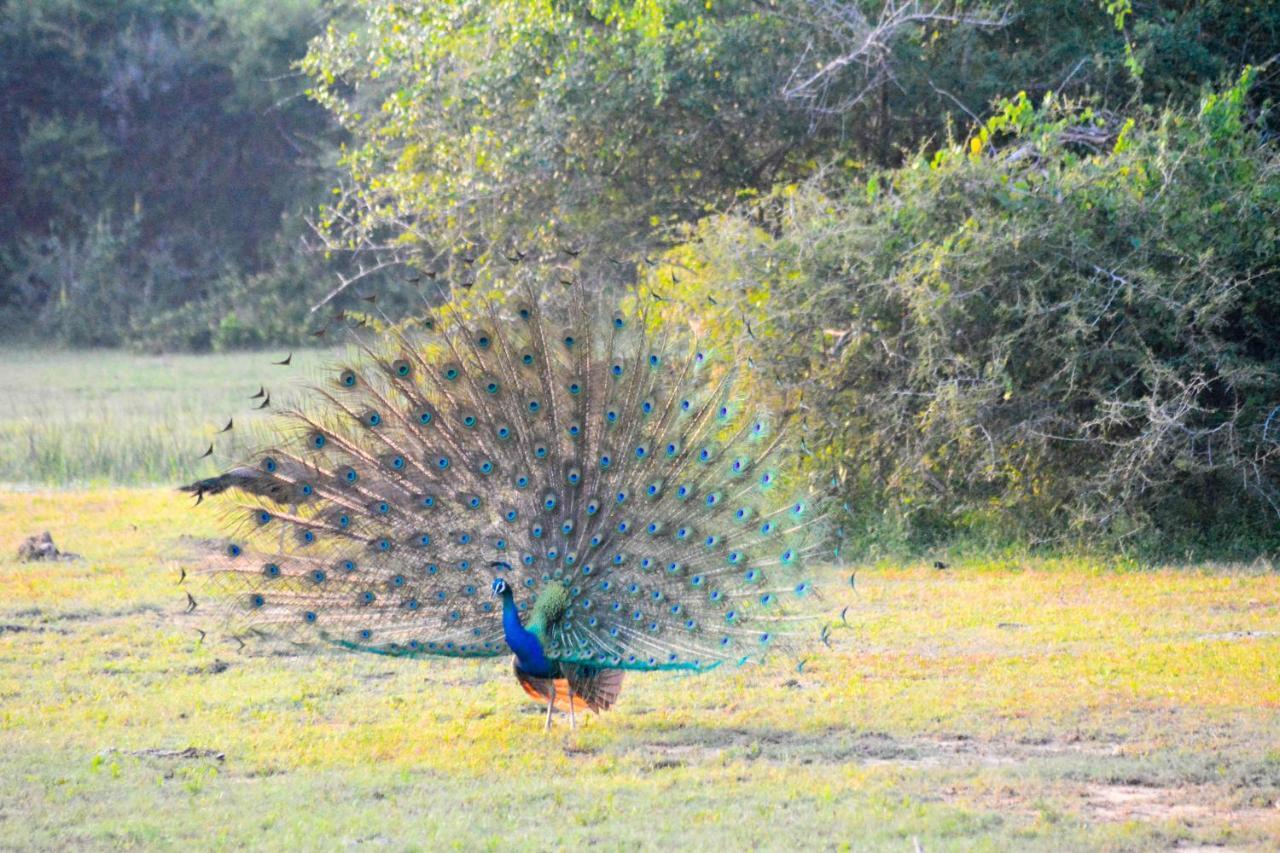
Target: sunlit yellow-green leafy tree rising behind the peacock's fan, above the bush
(486, 125)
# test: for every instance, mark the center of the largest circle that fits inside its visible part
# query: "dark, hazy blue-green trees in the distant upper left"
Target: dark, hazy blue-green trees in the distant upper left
(148, 148)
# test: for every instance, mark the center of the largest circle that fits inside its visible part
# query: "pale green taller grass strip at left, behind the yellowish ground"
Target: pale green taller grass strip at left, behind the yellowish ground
(109, 417)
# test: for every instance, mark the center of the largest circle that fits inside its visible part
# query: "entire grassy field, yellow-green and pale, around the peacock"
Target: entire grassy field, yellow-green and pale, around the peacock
(1005, 704)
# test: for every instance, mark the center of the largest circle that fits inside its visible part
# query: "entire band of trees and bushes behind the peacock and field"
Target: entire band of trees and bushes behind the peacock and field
(1020, 258)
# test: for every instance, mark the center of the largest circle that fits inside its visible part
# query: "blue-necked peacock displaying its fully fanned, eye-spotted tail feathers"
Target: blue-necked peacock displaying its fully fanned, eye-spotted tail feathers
(540, 476)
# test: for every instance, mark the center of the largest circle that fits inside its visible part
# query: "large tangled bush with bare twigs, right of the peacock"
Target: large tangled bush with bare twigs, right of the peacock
(1066, 323)
